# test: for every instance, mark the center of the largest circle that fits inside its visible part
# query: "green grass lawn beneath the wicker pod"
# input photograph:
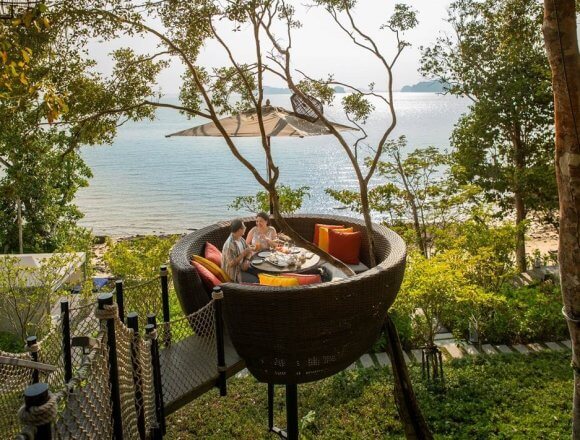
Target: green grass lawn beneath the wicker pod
(502, 397)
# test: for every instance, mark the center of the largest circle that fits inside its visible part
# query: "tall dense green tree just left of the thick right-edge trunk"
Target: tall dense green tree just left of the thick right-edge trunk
(504, 143)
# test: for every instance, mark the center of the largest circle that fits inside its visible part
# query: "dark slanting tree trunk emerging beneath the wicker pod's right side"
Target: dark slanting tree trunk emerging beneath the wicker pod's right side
(413, 421)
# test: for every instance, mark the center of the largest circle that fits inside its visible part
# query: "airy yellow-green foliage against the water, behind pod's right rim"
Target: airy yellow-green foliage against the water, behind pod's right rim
(418, 191)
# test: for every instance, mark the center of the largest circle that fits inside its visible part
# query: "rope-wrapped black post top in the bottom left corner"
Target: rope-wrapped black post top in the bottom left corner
(39, 410)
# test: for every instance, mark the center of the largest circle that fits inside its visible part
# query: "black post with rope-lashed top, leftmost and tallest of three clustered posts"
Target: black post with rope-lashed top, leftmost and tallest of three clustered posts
(104, 300)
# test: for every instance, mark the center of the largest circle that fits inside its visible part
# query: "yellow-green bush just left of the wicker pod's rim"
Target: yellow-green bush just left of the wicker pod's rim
(139, 258)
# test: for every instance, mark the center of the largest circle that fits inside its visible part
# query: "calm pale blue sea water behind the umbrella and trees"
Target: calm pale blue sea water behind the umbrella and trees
(146, 183)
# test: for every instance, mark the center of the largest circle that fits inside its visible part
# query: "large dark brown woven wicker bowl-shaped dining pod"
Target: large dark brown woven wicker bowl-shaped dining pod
(292, 335)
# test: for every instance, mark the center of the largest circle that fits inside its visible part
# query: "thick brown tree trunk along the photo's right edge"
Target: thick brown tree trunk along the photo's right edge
(562, 47)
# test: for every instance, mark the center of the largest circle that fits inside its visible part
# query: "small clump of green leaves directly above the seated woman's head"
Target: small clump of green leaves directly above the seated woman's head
(290, 200)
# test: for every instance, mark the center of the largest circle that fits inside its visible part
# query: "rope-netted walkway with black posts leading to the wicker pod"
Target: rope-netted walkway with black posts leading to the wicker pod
(101, 374)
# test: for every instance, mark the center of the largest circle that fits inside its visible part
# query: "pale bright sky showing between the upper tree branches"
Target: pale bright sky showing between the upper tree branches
(319, 47)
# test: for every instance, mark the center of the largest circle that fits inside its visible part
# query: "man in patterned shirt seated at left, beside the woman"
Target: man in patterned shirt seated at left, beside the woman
(236, 254)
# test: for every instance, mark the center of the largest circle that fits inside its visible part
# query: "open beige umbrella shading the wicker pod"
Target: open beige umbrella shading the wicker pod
(277, 122)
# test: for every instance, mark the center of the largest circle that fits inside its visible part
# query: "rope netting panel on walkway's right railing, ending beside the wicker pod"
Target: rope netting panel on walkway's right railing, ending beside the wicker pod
(190, 359)
